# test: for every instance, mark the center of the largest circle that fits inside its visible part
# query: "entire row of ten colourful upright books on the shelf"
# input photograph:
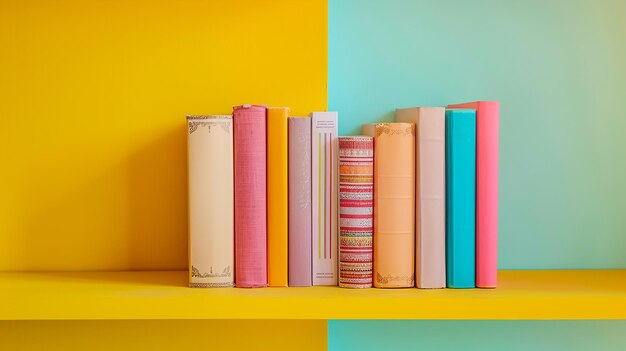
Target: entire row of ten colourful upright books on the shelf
(276, 200)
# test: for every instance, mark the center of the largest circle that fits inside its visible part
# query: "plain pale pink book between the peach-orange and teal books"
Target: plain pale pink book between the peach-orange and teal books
(430, 194)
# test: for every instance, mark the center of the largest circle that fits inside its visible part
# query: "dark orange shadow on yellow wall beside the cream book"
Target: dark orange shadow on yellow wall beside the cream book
(157, 200)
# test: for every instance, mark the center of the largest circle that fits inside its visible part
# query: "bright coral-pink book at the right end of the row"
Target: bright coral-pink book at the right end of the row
(487, 131)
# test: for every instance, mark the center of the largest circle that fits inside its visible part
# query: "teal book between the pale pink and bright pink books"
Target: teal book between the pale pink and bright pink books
(460, 198)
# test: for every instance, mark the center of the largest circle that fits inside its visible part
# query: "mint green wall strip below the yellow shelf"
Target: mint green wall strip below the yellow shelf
(477, 335)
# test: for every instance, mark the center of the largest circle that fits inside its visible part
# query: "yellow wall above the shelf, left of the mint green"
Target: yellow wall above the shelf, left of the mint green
(92, 133)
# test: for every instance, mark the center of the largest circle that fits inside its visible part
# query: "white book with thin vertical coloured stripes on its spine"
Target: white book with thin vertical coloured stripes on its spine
(324, 197)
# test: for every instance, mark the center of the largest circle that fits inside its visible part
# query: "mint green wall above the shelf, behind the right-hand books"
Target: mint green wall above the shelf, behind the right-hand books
(559, 70)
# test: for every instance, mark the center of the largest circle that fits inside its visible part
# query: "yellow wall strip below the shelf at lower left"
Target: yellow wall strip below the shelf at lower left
(163, 335)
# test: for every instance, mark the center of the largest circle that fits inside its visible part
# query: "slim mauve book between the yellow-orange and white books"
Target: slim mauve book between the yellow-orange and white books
(300, 271)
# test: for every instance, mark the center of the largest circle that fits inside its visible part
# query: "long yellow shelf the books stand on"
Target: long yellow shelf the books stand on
(589, 294)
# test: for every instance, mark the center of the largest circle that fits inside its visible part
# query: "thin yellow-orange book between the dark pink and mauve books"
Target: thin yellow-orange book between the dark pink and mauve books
(277, 195)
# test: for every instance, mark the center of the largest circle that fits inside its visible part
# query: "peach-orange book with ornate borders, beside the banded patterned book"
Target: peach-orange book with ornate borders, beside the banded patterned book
(394, 204)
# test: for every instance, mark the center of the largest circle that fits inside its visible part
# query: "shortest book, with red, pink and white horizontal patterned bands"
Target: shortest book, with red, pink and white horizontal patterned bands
(356, 211)
